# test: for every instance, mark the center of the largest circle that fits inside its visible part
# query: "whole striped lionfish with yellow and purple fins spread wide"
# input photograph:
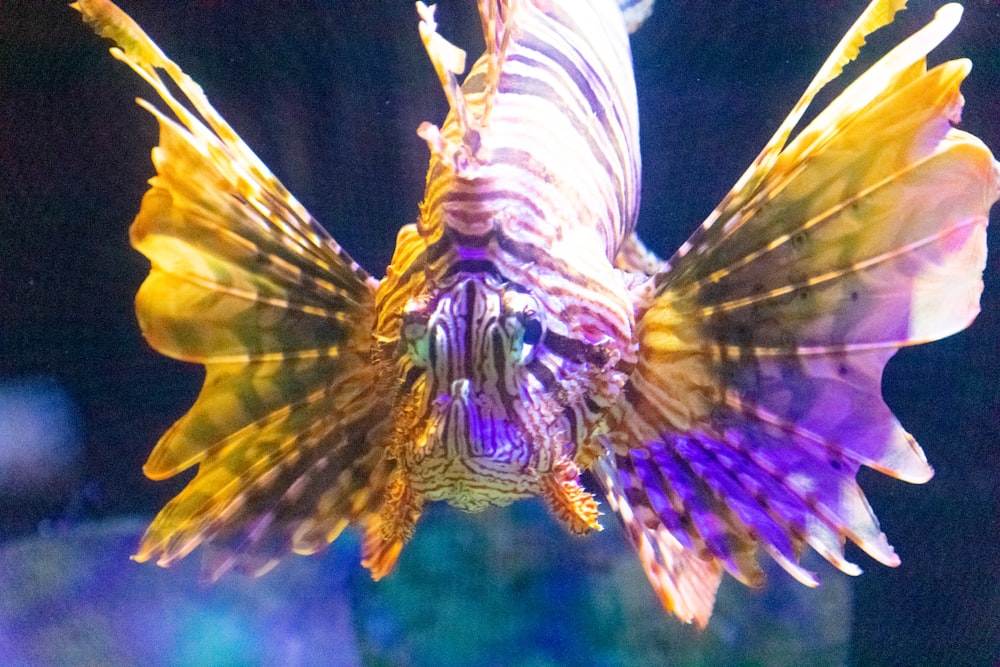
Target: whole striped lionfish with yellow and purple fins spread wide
(723, 400)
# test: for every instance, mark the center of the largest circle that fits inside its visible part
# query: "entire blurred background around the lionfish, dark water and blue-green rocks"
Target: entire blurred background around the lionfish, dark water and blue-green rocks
(329, 94)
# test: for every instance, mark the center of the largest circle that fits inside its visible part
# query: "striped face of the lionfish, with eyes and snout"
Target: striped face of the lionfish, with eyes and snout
(471, 438)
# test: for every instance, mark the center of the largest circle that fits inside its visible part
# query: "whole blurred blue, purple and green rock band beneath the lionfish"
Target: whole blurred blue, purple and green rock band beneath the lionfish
(505, 587)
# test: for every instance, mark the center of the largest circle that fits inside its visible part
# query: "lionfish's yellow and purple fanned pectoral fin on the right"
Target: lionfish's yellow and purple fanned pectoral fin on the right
(757, 395)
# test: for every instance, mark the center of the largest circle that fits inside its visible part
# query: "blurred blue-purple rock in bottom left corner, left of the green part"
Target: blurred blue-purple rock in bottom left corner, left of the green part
(74, 598)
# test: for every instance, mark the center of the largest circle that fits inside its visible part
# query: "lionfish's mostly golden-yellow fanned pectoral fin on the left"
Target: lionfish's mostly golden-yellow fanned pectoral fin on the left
(246, 282)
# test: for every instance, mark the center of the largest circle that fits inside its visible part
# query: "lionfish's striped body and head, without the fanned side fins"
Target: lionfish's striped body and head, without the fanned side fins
(532, 188)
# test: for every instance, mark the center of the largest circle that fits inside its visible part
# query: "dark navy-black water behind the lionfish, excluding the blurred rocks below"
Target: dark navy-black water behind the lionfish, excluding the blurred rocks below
(330, 95)
